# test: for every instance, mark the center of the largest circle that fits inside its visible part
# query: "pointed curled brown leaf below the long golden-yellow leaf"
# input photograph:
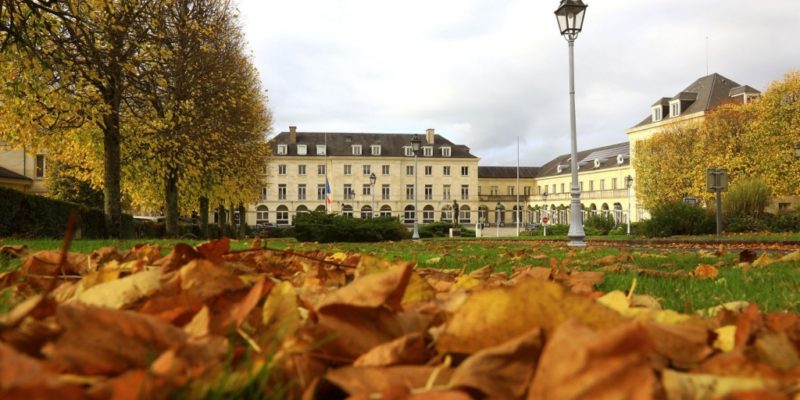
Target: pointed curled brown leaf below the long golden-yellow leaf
(503, 371)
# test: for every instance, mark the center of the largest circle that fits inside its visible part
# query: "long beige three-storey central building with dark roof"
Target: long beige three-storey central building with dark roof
(295, 177)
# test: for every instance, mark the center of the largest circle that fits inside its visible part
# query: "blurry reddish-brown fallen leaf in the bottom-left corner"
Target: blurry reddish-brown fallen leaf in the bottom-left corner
(22, 377)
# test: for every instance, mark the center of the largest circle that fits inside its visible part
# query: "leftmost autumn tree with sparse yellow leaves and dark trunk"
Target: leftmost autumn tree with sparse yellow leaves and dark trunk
(91, 49)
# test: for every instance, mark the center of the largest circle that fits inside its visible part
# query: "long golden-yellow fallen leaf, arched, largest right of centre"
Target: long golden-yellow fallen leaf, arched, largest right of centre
(491, 317)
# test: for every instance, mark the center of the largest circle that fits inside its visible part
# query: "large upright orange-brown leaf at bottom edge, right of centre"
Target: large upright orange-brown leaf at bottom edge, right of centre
(578, 363)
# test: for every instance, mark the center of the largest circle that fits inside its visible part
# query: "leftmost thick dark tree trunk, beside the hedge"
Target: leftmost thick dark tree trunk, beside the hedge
(112, 205)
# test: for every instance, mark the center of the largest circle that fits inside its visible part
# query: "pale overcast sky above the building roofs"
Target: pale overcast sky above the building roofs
(484, 72)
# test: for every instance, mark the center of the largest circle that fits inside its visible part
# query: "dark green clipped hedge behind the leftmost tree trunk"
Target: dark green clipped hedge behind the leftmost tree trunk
(35, 216)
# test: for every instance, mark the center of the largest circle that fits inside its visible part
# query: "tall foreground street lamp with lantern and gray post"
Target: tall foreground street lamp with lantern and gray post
(570, 15)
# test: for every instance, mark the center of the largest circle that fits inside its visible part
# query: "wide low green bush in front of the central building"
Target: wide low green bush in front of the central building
(327, 228)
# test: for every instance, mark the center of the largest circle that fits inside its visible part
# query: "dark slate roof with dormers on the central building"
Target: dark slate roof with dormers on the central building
(338, 144)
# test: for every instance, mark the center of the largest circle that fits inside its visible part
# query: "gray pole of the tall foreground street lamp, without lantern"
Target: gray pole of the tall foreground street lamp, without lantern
(576, 233)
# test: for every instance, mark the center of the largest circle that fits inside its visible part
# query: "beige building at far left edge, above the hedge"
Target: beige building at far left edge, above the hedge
(22, 170)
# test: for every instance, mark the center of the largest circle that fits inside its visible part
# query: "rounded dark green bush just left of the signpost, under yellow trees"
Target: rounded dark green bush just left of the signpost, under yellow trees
(679, 218)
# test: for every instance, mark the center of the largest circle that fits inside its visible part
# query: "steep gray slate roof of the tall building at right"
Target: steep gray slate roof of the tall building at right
(711, 90)
